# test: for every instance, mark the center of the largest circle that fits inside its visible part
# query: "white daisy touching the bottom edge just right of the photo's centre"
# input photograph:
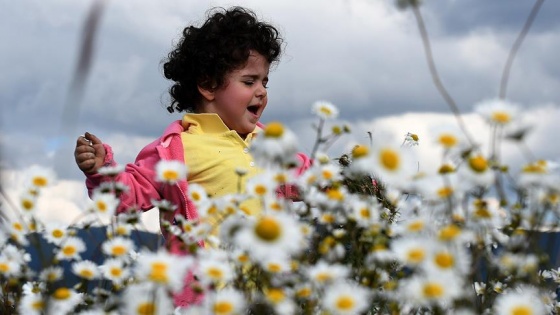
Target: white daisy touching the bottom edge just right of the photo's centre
(345, 298)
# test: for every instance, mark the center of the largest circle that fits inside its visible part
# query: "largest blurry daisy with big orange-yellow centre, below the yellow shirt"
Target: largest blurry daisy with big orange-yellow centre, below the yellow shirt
(270, 234)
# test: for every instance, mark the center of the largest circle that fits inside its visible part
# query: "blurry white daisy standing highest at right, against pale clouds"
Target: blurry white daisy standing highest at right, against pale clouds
(497, 112)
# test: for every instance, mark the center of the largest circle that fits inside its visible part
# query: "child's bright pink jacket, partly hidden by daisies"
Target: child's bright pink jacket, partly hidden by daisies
(140, 178)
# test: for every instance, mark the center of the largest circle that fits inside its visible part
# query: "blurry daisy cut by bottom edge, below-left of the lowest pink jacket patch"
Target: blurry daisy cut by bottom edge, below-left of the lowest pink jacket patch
(146, 298)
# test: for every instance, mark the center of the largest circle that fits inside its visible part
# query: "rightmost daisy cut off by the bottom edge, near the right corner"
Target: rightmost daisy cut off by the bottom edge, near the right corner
(526, 300)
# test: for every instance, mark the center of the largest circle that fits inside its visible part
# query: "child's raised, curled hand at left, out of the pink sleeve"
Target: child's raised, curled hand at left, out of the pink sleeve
(89, 153)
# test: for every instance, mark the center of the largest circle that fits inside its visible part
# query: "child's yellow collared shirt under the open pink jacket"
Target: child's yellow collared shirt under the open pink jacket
(213, 152)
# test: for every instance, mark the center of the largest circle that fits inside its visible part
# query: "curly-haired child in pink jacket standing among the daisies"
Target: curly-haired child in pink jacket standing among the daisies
(220, 72)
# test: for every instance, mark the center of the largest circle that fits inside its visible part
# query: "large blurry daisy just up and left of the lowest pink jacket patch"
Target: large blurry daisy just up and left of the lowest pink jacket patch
(163, 268)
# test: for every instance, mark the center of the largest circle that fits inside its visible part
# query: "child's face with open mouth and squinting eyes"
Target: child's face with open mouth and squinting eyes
(243, 98)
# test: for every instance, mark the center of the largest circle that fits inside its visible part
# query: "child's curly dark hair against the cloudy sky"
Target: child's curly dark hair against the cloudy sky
(205, 55)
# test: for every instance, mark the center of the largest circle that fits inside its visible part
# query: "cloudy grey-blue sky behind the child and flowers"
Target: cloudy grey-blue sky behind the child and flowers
(365, 56)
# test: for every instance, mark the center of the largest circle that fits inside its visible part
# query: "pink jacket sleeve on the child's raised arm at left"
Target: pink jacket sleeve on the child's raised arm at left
(139, 177)
